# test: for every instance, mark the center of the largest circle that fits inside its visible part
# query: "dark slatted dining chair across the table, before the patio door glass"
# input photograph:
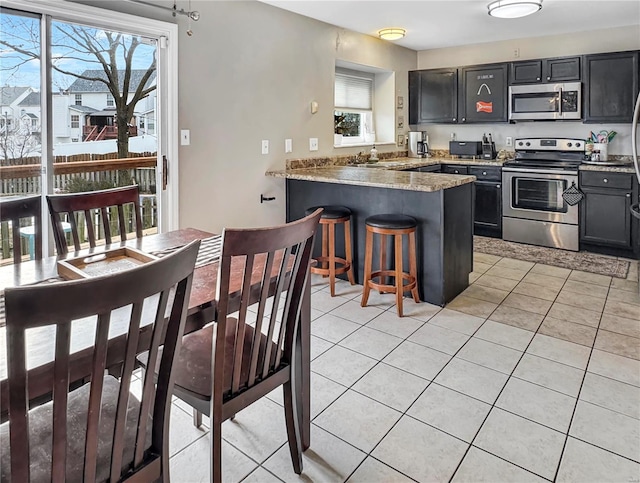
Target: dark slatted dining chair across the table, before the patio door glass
(74, 203)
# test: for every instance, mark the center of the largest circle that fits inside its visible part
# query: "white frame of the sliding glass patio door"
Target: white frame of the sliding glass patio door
(167, 83)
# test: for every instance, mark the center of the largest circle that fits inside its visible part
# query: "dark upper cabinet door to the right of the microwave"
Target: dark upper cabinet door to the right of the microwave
(610, 86)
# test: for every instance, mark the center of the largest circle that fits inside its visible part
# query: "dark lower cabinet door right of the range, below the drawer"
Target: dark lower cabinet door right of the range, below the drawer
(605, 217)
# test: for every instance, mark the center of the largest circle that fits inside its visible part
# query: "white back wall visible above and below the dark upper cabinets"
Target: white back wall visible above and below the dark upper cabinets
(594, 41)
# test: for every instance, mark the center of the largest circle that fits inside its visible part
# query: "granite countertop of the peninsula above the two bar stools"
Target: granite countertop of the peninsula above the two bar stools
(381, 178)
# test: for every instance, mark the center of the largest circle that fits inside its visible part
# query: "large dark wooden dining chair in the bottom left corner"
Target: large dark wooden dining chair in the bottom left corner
(99, 431)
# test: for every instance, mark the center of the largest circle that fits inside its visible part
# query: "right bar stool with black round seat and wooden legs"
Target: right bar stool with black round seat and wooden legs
(396, 225)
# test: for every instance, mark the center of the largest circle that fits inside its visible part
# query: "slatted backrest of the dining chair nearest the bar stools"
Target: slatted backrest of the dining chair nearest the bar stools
(283, 252)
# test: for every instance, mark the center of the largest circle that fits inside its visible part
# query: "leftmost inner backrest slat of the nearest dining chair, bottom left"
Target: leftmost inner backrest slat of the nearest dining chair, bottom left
(60, 397)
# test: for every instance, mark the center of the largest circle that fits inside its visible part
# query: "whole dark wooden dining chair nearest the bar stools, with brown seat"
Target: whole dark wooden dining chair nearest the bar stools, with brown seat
(254, 354)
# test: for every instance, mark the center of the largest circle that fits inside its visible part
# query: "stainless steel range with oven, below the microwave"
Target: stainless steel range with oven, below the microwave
(533, 208)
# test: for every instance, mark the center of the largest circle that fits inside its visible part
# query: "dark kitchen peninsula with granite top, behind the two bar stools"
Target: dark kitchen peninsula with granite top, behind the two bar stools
(441, 203)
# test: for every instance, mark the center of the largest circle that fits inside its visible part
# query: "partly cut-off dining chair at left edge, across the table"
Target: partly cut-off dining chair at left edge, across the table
(14, 210)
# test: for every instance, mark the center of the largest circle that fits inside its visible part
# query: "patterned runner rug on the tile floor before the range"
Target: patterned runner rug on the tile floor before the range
(585, 261)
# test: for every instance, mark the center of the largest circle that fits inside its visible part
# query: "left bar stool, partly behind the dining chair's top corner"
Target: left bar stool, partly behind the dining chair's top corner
(332, 216)
